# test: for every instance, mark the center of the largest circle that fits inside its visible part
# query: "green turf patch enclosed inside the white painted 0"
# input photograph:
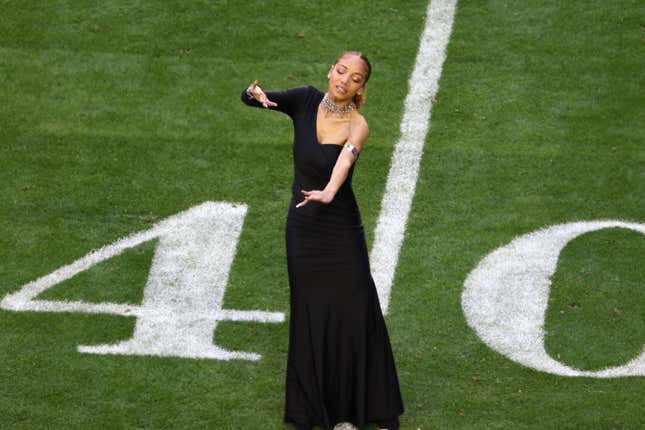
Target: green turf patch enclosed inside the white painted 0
(598, 289)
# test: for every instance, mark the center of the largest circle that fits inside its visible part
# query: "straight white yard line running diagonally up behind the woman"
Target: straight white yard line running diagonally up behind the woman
(406, 158)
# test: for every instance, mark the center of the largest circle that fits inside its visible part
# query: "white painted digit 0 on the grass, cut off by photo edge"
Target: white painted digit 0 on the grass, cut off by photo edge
(505, 298)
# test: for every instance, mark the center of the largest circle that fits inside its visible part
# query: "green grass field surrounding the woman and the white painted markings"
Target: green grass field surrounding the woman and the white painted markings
(116, 115)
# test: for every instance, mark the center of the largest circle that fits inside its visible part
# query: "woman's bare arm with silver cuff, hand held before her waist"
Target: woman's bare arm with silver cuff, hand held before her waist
(357, 135)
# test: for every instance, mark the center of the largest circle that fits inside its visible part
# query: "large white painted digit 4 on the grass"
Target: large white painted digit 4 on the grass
(183, 296)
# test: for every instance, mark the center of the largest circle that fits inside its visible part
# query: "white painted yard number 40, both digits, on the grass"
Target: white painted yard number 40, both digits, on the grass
(504, 299)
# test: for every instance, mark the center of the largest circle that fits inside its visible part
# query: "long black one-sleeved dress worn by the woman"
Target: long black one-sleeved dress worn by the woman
(340, 365)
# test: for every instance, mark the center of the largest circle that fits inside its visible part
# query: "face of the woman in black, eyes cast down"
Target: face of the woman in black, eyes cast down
(346, 78)
